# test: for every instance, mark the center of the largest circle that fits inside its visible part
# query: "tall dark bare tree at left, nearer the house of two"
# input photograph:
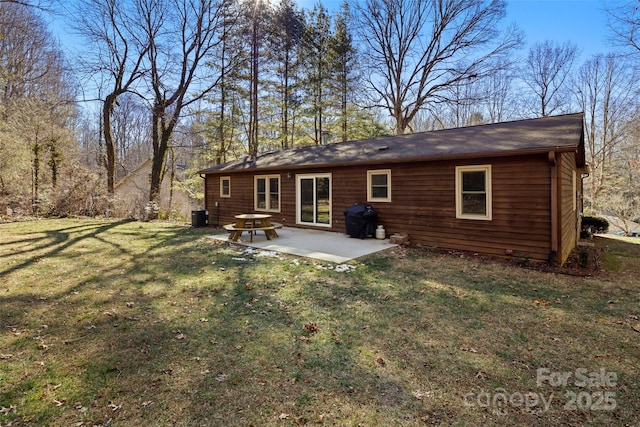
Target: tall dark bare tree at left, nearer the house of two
(181, 34)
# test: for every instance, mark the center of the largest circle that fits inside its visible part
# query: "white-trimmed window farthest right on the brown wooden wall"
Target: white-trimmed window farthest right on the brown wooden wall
(473, 192)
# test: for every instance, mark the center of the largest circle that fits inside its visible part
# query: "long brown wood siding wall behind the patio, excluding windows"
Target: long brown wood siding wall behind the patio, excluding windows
(423, 203)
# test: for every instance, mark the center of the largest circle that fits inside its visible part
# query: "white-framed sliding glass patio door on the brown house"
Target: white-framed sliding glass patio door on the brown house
(314, 200)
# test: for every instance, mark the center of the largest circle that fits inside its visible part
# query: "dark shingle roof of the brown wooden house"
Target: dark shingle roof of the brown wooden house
(559, 133)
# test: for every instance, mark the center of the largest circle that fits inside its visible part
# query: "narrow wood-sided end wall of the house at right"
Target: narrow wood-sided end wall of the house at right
(567, 214)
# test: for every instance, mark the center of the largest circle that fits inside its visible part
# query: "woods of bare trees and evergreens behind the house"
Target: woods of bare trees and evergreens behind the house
(188, 84)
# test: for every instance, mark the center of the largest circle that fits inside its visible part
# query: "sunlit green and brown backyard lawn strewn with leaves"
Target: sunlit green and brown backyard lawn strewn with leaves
(153, 324)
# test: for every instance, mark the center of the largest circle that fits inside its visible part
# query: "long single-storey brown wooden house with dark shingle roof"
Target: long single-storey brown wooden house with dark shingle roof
(504, 188)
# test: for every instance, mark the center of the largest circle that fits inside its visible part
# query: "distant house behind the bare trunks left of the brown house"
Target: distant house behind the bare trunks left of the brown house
(131, 194)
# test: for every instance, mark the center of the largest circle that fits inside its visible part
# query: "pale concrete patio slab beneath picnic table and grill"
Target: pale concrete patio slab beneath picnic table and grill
(321, 245)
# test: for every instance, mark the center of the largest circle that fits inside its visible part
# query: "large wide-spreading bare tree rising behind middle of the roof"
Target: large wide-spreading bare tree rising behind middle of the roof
(417, 49)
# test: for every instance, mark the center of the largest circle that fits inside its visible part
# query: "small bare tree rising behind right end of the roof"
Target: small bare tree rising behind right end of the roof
(547, 73)
